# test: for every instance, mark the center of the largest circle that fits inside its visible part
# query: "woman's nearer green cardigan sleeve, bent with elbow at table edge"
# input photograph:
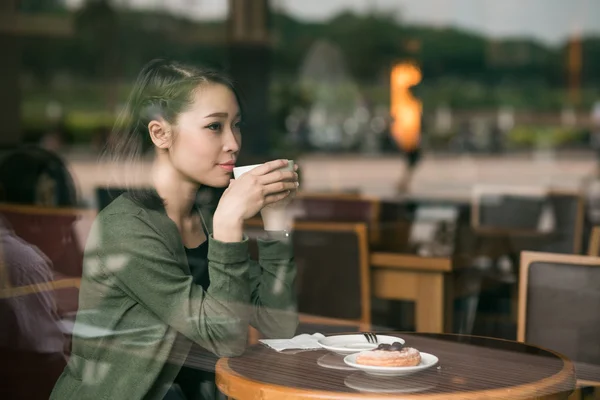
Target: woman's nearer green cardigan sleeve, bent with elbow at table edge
(149, 271)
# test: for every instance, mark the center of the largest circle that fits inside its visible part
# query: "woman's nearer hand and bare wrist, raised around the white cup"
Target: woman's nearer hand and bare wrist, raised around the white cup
(247, 195)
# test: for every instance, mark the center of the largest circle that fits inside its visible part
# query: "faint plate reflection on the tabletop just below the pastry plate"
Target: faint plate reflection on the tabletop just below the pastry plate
(385, 384)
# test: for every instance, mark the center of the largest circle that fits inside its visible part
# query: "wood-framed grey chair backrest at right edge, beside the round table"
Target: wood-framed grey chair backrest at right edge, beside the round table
(559, 299)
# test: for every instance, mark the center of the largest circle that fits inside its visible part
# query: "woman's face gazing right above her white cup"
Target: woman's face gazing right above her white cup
(207, 137)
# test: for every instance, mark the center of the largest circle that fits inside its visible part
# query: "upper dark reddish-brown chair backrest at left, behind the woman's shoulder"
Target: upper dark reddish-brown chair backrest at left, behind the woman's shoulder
(59, 233)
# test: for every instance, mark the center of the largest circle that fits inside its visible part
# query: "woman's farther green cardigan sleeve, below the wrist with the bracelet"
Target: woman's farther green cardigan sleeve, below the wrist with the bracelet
(273, 295)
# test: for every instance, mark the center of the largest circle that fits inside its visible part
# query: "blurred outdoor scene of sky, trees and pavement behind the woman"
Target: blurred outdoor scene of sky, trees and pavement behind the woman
(513, 82)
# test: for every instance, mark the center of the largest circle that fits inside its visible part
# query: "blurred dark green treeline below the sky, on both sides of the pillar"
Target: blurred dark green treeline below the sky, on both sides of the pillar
(460, 68)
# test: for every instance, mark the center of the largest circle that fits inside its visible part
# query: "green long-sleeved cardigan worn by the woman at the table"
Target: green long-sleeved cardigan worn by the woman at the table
(139, 310)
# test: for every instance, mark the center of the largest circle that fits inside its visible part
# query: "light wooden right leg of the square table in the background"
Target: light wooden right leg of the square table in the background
(430, 303)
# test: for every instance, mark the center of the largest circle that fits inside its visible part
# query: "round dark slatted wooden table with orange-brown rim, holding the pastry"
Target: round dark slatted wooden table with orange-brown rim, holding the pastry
(469, 367)
